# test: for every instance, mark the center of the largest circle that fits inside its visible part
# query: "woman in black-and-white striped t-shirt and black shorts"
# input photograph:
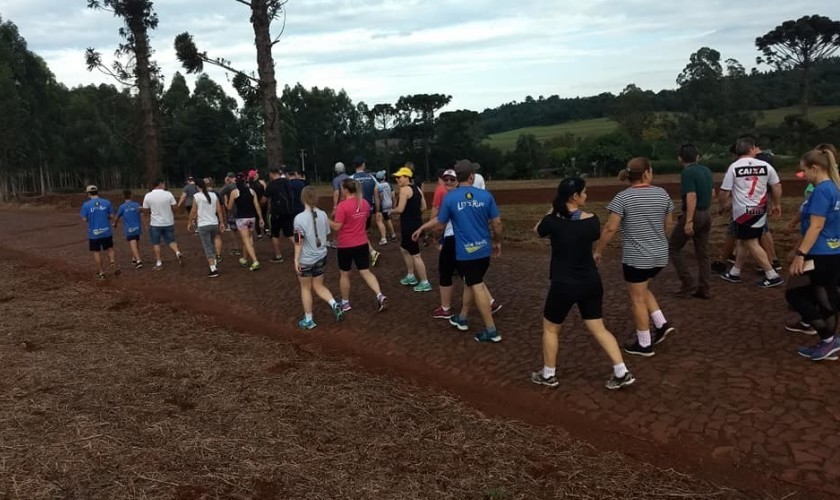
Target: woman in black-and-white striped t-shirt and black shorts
(643, 213)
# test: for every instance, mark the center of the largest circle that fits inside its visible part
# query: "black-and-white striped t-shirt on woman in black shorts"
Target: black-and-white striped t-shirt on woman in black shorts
(643, 209)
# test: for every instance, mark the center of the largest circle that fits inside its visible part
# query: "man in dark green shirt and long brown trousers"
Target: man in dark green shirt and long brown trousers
(694, 223)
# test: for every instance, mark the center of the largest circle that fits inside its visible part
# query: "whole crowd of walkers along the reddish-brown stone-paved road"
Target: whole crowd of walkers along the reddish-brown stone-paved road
(467, 223)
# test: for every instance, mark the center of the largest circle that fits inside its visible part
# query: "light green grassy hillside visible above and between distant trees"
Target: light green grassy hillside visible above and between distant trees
(506, 141)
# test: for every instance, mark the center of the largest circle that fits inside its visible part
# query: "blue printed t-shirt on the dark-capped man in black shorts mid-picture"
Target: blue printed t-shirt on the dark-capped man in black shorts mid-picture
(470, 209)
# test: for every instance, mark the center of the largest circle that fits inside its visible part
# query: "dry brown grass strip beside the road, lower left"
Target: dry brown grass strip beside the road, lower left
(105, 397)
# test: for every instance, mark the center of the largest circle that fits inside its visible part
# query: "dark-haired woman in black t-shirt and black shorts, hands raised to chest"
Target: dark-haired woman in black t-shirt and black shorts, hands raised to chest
(574, 280)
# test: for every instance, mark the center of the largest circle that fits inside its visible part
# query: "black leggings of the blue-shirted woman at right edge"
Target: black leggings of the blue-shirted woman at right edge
(816, 295)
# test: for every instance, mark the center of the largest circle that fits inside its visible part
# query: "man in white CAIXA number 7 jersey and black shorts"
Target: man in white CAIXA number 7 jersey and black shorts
(750, 182)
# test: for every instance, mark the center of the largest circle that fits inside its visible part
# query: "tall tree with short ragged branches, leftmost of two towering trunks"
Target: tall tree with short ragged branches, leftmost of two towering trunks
(139, 18)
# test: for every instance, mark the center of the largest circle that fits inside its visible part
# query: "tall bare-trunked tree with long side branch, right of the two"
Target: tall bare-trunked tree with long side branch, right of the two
(263, 13)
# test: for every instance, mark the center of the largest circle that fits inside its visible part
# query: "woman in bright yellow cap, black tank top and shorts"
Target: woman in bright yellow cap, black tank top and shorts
(410, 208)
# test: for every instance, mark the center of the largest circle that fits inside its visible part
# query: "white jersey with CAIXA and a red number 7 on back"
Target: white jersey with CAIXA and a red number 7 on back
(749, 179)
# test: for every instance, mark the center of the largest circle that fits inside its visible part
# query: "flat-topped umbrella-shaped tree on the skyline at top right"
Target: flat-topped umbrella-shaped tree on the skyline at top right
(799, 45)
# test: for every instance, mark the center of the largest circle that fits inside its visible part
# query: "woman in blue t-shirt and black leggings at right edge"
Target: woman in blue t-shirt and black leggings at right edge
(818, 255)
